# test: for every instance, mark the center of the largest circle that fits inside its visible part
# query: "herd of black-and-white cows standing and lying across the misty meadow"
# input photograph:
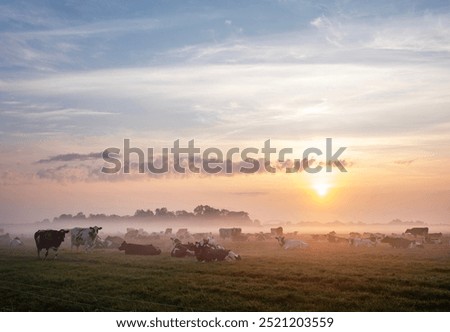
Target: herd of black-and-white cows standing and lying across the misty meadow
(206, 249)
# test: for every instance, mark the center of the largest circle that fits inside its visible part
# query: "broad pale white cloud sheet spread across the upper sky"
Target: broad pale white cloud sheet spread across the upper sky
(351, 76)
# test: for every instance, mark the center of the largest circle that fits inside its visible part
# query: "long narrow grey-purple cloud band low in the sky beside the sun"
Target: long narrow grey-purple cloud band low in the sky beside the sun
(88, 168)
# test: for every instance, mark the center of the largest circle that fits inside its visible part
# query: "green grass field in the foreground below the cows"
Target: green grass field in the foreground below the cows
(324, 277)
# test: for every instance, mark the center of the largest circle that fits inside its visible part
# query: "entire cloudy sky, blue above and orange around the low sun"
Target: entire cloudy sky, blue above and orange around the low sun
(78, 77)
